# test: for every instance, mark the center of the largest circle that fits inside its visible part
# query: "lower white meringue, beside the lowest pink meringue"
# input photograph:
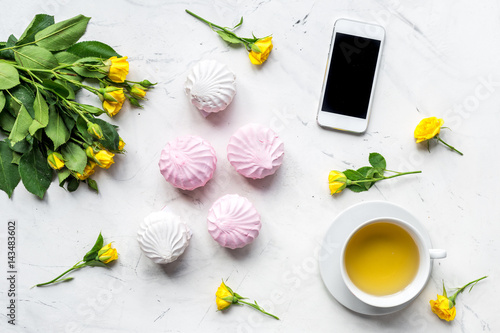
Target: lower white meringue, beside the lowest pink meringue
(163, 237)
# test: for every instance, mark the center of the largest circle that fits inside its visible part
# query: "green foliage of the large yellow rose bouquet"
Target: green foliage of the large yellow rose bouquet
(40, 75)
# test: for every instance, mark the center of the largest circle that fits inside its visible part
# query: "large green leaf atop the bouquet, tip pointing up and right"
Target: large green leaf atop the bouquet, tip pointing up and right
(63, 34)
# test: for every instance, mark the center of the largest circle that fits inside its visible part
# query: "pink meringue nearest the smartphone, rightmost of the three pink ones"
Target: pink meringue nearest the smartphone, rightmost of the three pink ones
(255, 151)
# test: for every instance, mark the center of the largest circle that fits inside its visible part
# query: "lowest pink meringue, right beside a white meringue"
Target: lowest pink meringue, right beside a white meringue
(233, 221)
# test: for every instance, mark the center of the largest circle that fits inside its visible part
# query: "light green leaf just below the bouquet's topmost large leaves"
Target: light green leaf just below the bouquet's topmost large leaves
(36, 58)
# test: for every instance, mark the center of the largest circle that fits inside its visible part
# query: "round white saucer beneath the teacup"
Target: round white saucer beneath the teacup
(337, 233)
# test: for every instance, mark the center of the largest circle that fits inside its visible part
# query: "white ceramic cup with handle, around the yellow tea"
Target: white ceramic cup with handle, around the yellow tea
(414, 288)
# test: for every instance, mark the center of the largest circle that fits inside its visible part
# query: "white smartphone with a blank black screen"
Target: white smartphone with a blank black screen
(350, 76)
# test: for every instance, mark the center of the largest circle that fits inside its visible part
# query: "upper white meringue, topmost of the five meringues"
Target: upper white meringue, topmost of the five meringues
(210, 86)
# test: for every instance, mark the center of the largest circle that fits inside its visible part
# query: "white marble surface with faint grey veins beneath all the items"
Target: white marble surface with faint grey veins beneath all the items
(440, 57)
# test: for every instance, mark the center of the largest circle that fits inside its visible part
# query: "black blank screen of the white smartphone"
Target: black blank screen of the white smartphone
(350, 78)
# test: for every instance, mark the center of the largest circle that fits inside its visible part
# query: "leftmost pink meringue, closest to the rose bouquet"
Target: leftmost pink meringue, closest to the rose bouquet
(188, 162)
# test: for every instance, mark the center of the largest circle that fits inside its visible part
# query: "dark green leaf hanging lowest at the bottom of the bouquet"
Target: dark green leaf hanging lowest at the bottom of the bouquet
(35, 172)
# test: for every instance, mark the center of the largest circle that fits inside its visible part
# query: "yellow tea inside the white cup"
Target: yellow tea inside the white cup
(381, 258)
